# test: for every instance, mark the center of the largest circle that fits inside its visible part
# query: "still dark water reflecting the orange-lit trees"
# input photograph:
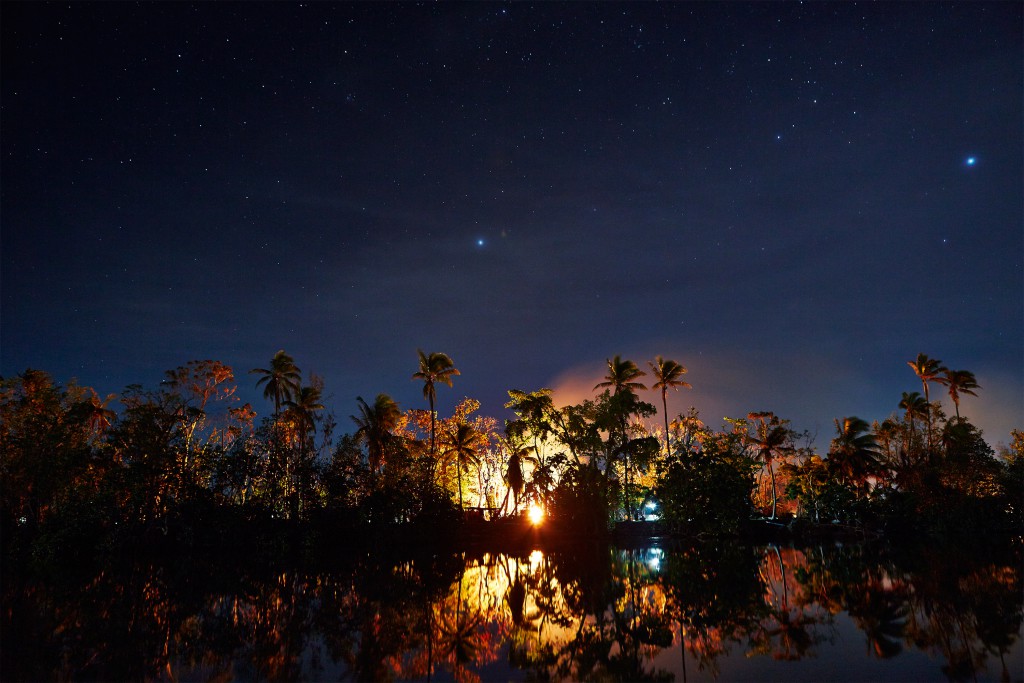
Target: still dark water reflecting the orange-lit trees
(720, 612)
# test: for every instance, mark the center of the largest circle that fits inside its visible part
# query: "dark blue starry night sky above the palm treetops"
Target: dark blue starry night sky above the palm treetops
(791, 200)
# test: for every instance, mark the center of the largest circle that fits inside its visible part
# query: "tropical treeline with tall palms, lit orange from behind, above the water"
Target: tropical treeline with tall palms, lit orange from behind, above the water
(186, 461)
